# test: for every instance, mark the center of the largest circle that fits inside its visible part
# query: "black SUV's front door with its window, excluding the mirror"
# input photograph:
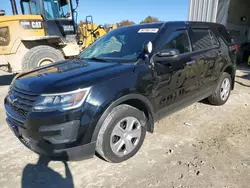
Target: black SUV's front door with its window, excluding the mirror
(171, 76)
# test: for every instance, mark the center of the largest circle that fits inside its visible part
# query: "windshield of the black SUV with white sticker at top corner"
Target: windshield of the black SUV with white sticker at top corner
(123, 44)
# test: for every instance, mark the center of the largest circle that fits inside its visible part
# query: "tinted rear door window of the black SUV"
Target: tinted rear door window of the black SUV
(204, 39)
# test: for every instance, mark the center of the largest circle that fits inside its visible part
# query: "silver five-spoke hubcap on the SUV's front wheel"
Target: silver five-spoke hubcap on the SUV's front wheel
(125, 136)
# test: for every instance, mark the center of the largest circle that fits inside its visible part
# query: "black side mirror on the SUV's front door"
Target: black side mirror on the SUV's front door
(167, 55)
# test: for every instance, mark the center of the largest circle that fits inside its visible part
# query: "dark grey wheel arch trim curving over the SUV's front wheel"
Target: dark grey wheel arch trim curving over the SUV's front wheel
(136, 100)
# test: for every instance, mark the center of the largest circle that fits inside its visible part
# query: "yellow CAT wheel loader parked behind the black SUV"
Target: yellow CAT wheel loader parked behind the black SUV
(44, 33)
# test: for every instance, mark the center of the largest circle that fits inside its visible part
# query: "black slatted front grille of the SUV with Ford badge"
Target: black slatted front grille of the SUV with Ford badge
(21, 101)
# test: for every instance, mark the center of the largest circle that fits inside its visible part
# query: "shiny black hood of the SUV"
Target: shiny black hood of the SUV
(69, 75)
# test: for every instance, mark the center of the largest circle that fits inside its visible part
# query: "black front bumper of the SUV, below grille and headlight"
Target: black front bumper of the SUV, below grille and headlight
(57, 135)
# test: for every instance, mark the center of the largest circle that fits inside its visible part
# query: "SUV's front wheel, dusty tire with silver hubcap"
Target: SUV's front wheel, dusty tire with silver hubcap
(122, 134)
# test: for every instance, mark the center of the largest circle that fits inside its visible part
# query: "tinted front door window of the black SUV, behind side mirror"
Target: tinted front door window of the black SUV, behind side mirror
(178, 40)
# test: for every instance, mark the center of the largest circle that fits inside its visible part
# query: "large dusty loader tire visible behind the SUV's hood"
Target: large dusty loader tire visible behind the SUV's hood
(41, 55)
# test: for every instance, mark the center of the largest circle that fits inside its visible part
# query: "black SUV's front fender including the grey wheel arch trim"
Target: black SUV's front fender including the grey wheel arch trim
(104, 97)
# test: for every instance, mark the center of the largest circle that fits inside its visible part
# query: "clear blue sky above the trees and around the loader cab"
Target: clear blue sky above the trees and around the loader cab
(114, 11)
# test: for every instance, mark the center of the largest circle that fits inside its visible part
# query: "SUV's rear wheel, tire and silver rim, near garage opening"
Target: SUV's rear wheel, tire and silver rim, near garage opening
(222, 91)
